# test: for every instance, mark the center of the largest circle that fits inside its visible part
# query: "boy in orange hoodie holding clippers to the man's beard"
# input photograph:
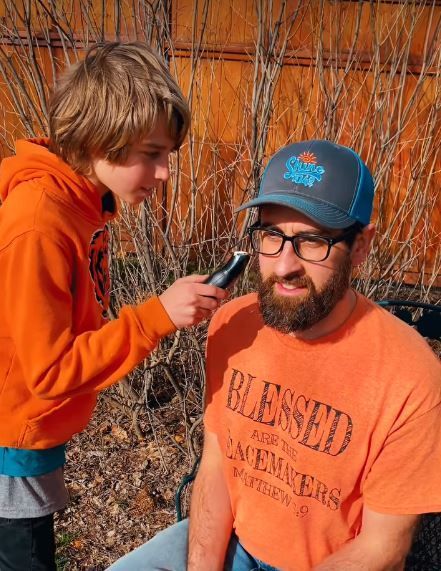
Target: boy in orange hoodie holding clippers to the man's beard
(114, 119)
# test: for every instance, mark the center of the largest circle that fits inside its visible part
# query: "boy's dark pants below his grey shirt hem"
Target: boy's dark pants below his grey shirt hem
(27, 544)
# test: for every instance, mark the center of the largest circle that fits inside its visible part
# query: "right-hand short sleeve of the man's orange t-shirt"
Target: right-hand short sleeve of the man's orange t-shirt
(405, 477)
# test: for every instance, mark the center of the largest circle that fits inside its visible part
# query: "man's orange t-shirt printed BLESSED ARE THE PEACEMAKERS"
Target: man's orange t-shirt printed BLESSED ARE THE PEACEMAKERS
(312, 430)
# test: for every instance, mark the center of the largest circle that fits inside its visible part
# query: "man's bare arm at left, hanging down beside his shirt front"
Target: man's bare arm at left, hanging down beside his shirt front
(211, 519)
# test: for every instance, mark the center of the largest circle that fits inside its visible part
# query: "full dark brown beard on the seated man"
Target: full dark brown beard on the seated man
(298, 313)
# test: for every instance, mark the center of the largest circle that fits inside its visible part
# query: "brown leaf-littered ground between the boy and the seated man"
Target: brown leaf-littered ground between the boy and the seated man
(122, 489)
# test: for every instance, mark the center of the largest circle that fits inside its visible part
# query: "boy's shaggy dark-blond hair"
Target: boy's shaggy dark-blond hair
(110, 100)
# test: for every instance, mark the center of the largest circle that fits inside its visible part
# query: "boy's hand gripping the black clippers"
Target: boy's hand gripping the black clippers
(189, 300)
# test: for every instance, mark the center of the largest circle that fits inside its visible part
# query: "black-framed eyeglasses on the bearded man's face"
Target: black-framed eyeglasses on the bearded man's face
(308, 247)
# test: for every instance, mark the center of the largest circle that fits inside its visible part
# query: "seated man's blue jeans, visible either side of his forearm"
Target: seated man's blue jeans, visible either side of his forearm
(167, 551)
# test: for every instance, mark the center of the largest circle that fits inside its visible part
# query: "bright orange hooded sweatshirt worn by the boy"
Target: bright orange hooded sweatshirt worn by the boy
(57, 349)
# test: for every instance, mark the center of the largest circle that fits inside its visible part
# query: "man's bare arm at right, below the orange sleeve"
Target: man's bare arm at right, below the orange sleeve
(382, 545)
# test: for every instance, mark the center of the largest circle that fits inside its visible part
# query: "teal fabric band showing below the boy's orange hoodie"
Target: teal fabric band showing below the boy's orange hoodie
(26, 463)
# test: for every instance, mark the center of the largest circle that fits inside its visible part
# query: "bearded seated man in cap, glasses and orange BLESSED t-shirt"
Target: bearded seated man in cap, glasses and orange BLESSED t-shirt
(323, 410)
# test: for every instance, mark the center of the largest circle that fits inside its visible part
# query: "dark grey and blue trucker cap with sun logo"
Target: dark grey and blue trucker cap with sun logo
(327, 182)
